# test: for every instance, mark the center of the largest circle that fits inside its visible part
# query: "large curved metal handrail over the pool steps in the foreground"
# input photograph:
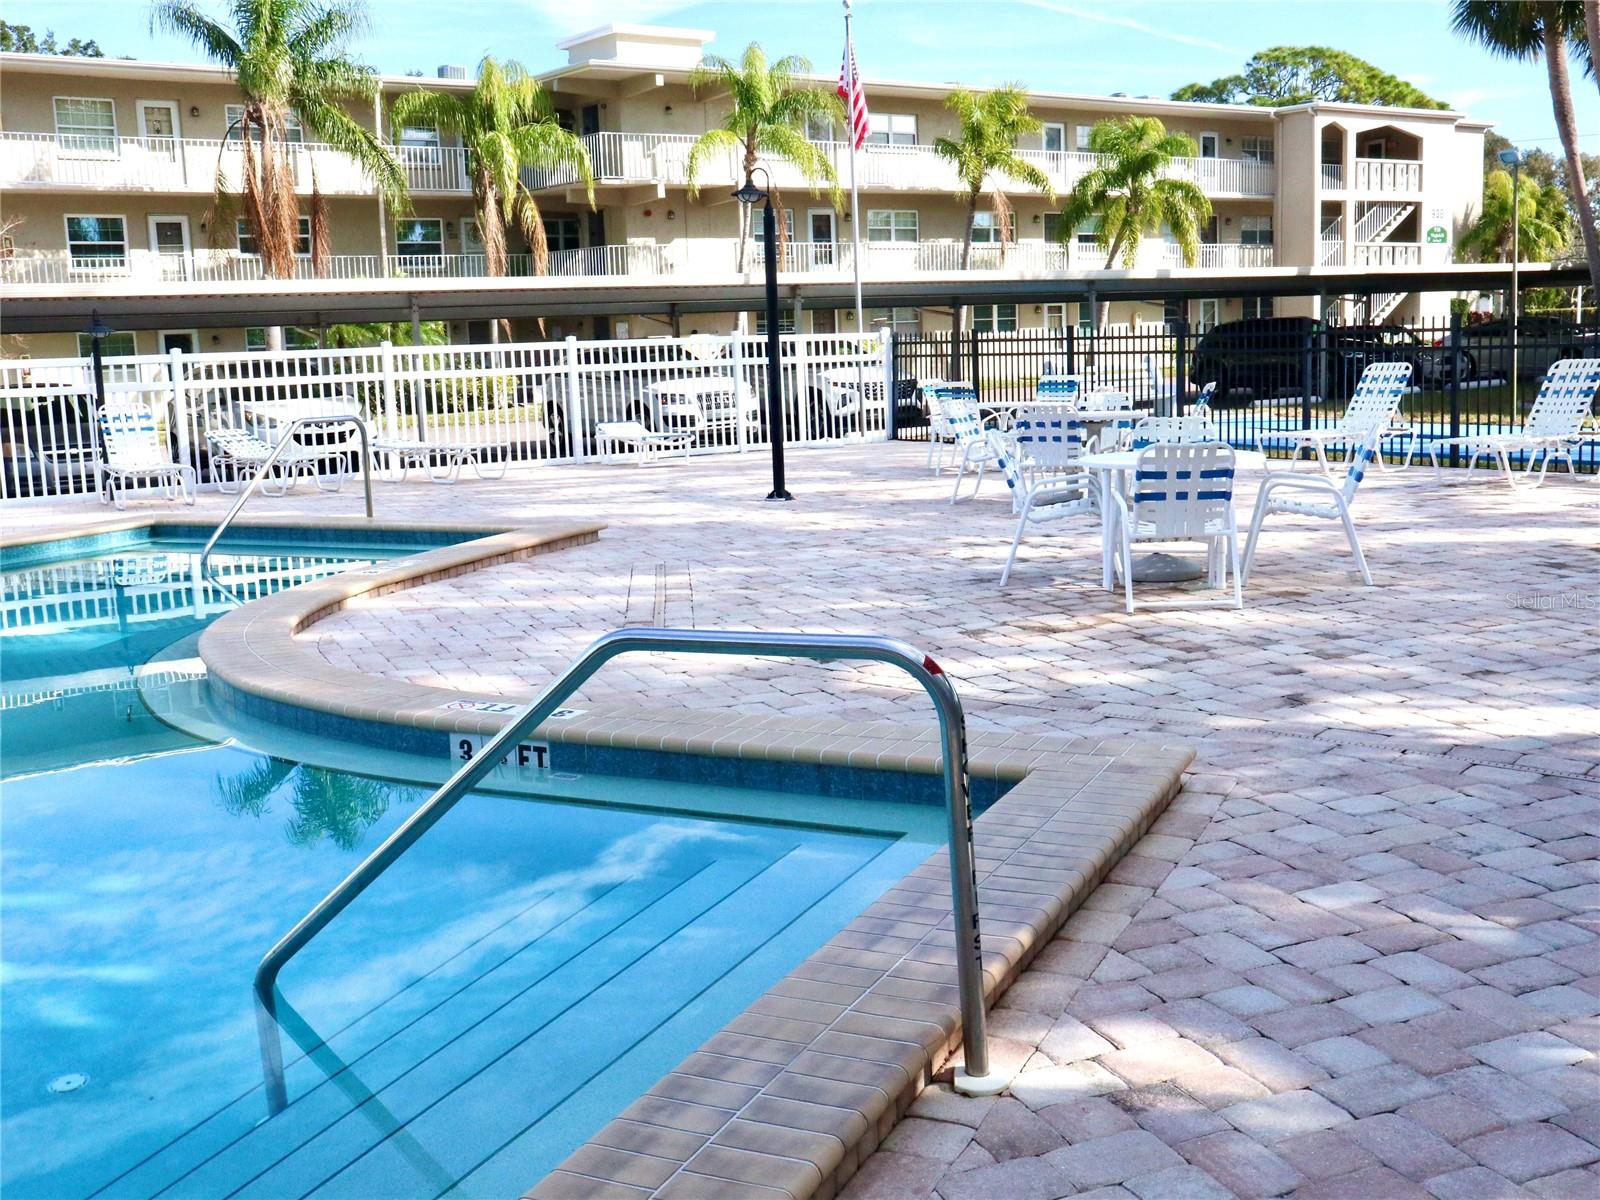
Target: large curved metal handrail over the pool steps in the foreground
(822, 647)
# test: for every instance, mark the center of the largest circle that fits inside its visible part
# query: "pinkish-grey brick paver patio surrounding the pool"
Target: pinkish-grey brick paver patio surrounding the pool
(1356, 959)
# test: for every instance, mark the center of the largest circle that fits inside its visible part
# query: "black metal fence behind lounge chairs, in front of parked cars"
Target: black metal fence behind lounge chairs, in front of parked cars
(1271, 375)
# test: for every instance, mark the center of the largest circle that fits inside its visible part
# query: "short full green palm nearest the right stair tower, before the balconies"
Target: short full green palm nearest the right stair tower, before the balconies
(1132, 196)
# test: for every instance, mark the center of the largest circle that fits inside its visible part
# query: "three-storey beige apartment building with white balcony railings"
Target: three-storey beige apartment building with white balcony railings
(108, 167)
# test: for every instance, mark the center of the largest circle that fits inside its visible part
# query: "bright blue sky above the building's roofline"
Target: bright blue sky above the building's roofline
(1142, 47)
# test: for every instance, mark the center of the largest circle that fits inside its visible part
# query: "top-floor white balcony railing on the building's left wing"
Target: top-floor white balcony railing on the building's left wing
(42, 161)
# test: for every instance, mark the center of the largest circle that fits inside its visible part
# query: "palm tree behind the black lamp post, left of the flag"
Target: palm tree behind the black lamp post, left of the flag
(769, 116)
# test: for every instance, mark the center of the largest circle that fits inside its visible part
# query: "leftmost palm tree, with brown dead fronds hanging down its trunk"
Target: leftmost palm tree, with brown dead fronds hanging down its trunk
(287, 58)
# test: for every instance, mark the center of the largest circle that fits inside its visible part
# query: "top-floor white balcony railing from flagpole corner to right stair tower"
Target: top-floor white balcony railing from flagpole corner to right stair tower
(663, 158)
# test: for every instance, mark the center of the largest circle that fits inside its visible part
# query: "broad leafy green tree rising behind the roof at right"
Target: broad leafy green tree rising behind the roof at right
(1300, 74)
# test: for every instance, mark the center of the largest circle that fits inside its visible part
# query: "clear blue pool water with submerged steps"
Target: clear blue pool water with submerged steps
(516, 980)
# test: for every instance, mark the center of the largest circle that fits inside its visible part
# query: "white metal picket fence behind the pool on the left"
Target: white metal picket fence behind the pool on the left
(510, 402)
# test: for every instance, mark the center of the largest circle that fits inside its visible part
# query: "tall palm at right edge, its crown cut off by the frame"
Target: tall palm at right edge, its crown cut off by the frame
(1526, 30)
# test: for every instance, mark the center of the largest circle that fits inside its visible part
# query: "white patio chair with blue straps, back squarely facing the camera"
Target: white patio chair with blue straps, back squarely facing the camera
(1182, 494)
